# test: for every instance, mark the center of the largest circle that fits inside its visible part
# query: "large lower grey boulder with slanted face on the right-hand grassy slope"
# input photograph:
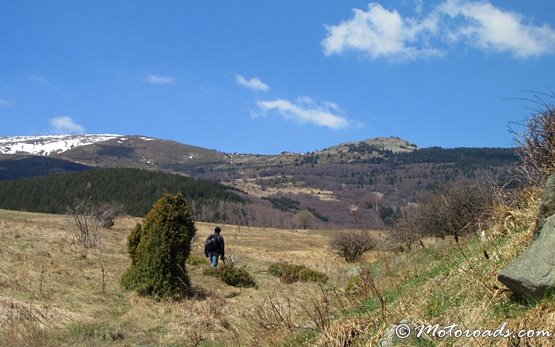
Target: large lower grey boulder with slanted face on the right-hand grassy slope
(532, 274)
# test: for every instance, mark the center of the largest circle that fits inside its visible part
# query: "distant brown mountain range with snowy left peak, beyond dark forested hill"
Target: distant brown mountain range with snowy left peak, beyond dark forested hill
(366, 182)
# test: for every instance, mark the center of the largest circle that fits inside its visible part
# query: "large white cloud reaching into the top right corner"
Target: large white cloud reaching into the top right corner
(495, 29)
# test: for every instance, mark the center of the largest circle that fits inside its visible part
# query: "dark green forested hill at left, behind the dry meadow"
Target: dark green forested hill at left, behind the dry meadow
(134, 189)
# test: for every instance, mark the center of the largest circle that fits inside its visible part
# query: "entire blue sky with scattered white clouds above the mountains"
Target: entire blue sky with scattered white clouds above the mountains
(271, 76)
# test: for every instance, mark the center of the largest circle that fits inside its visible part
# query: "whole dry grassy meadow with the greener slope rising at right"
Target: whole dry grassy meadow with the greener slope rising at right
(54, 292)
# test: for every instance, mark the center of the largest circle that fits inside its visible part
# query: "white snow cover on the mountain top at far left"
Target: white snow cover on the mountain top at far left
(49, 144)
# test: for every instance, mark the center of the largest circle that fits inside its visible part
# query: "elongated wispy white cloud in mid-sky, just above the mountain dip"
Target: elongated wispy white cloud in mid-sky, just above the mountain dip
(306, 110)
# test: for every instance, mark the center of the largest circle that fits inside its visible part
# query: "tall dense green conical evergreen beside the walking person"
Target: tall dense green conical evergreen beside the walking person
(159, 248)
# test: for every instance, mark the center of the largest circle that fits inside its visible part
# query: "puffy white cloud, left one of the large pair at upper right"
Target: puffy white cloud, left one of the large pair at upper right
(380, 33)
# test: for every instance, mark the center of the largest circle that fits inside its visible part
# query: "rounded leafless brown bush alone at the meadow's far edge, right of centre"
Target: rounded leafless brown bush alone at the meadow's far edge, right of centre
(352, 244)
